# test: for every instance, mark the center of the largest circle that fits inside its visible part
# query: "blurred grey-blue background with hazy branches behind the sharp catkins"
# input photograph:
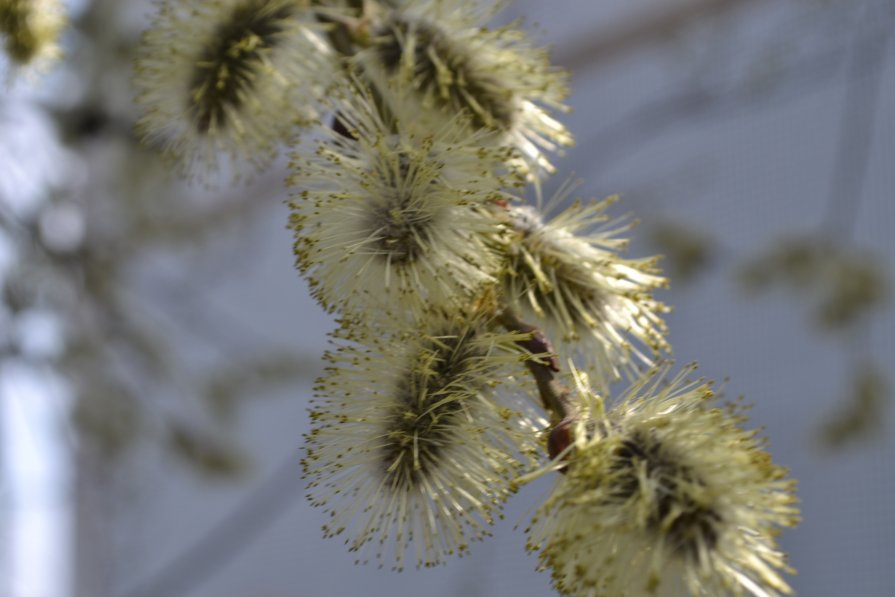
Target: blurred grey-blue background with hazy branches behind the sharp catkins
(157, 348)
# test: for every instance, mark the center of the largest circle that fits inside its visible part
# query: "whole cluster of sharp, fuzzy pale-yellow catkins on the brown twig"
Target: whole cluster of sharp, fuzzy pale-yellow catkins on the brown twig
(479, 333)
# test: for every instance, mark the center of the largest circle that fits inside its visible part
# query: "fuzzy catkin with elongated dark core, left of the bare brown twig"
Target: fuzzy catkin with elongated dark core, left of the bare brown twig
(411, 448)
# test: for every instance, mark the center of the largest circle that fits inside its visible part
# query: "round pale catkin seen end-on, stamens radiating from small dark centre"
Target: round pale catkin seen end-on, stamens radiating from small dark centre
(394, 218)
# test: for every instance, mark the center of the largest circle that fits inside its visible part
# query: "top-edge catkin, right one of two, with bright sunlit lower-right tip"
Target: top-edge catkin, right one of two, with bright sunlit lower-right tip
(438, 55)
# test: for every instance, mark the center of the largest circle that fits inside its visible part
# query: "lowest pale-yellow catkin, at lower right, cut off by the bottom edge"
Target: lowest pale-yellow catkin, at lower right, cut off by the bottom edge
(666, 495)
